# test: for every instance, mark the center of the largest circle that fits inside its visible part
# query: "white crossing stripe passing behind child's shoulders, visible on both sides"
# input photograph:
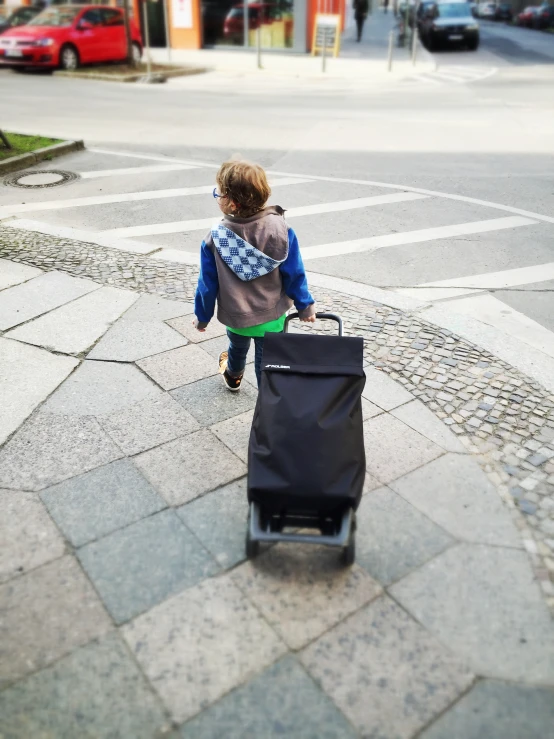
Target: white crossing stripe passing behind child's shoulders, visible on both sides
(199, 223)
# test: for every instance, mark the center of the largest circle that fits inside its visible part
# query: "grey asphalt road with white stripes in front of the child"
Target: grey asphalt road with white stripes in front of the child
(479, 129)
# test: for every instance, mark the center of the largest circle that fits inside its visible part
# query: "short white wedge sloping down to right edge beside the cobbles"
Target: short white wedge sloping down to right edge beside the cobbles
(493, 312)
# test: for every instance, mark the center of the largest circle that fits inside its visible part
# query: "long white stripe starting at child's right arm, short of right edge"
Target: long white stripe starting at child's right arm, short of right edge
(413, 237)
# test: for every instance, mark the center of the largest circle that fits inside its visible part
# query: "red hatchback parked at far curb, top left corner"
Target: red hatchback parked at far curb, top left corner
(68, 35)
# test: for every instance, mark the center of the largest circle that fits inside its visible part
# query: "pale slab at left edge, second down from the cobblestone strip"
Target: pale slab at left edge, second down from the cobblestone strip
(46, 292)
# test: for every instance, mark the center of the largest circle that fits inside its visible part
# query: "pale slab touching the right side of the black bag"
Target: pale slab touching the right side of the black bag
(393, 449)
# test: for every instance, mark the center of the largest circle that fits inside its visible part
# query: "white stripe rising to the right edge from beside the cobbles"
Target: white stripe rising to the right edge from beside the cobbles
(459, 286)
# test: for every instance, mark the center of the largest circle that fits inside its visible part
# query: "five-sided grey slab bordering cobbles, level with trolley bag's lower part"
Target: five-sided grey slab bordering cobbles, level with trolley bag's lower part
(456, 494)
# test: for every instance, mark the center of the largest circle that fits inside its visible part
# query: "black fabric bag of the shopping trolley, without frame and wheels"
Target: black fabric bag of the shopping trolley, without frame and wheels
(306, 444)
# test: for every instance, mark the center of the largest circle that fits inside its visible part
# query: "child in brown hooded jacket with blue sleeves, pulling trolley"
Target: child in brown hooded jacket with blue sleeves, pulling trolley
(250, 262)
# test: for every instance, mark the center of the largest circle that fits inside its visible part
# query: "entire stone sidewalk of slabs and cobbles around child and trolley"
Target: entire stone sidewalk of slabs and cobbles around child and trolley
(127, 606)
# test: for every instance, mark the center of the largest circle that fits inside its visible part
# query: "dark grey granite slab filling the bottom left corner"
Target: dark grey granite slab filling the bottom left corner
(97, 691)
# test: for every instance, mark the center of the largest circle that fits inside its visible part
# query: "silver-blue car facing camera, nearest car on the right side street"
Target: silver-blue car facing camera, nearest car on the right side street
(449, 23)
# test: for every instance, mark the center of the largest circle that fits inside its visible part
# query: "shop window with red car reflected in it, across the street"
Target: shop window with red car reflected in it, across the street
(224, 23)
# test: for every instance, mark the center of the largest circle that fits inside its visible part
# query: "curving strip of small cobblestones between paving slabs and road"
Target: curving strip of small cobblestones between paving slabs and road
(503, 418)
